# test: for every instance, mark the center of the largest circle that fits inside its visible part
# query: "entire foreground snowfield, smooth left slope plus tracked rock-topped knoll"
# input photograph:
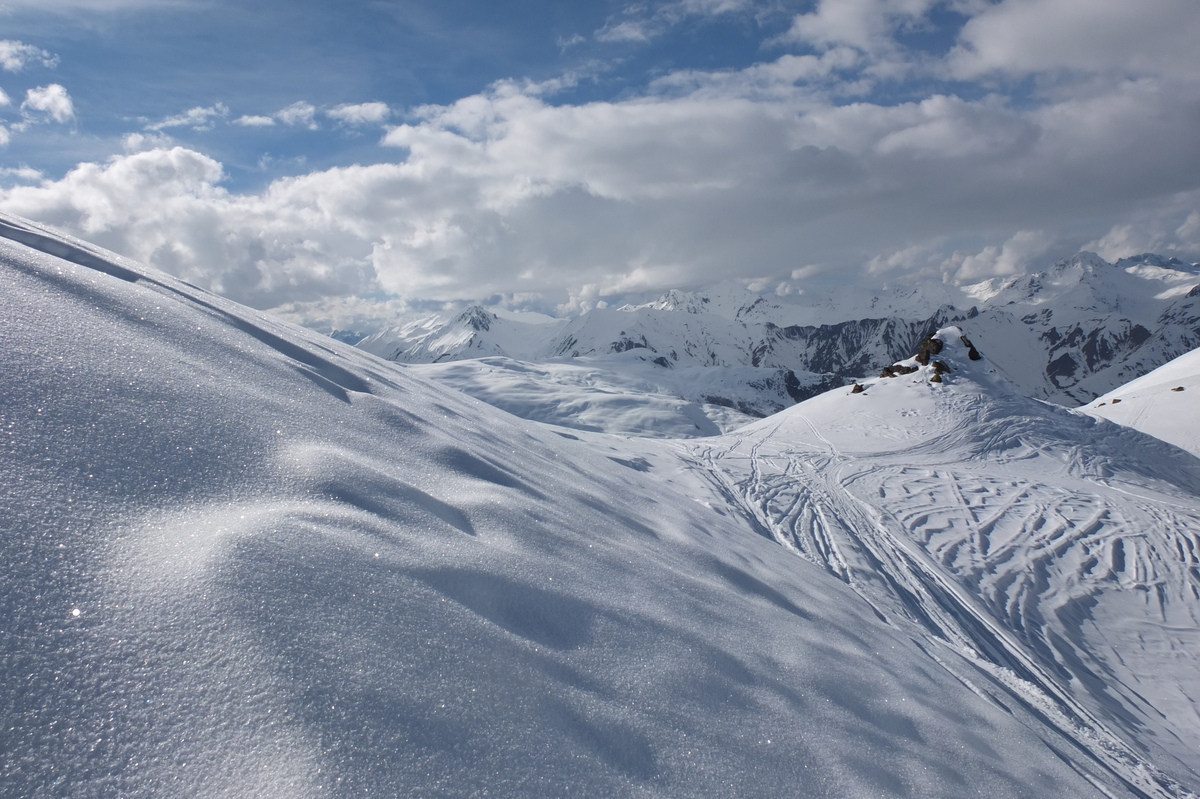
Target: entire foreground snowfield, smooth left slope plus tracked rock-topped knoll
(247, 561)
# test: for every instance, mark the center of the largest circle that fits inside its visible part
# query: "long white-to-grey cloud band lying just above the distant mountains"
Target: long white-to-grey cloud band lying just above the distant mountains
(503, 193)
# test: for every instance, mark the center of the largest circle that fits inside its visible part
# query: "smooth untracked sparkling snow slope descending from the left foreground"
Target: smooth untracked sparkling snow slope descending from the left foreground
(245, 561)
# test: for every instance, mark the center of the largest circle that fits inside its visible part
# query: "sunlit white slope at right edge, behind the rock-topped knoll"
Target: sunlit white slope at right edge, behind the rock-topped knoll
(1165, 404)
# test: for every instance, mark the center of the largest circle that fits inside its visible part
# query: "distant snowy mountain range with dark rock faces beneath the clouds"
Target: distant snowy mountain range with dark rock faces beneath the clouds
(1066, 335)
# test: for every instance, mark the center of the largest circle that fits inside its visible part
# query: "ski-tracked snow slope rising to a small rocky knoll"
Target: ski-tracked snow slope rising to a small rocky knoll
(1061, 551)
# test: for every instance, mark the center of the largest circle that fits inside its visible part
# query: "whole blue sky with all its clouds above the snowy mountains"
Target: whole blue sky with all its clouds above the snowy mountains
(347, 163)
